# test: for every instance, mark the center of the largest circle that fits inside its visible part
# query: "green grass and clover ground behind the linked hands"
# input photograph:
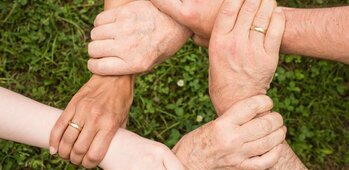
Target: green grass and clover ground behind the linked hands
(43, 56)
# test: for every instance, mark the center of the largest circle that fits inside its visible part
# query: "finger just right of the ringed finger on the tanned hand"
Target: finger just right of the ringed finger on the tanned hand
(82, 144)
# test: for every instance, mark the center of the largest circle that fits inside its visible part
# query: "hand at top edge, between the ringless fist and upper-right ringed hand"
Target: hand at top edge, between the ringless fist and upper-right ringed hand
(198, 15)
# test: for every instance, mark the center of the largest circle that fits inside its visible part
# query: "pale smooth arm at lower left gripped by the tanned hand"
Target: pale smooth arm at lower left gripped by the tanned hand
(26, 121)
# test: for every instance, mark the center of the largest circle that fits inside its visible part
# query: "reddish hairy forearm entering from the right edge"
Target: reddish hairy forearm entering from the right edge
(320, 33)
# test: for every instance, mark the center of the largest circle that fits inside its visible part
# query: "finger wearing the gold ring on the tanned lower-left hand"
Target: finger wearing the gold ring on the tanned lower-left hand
(69, 137)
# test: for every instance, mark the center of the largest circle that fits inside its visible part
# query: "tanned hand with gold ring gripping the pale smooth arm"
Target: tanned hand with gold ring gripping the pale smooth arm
(100, 108)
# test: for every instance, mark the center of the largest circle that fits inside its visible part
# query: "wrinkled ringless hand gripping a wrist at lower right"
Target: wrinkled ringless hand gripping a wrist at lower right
(233, 141)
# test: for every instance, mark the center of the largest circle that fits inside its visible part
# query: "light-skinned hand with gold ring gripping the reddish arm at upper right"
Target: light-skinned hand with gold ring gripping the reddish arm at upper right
(243, 61)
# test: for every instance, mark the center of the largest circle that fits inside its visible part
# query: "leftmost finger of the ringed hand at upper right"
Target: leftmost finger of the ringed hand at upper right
(226, 17)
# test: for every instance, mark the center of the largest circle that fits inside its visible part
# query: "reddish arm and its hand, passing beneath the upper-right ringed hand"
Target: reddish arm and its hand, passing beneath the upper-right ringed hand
(306, 29)
